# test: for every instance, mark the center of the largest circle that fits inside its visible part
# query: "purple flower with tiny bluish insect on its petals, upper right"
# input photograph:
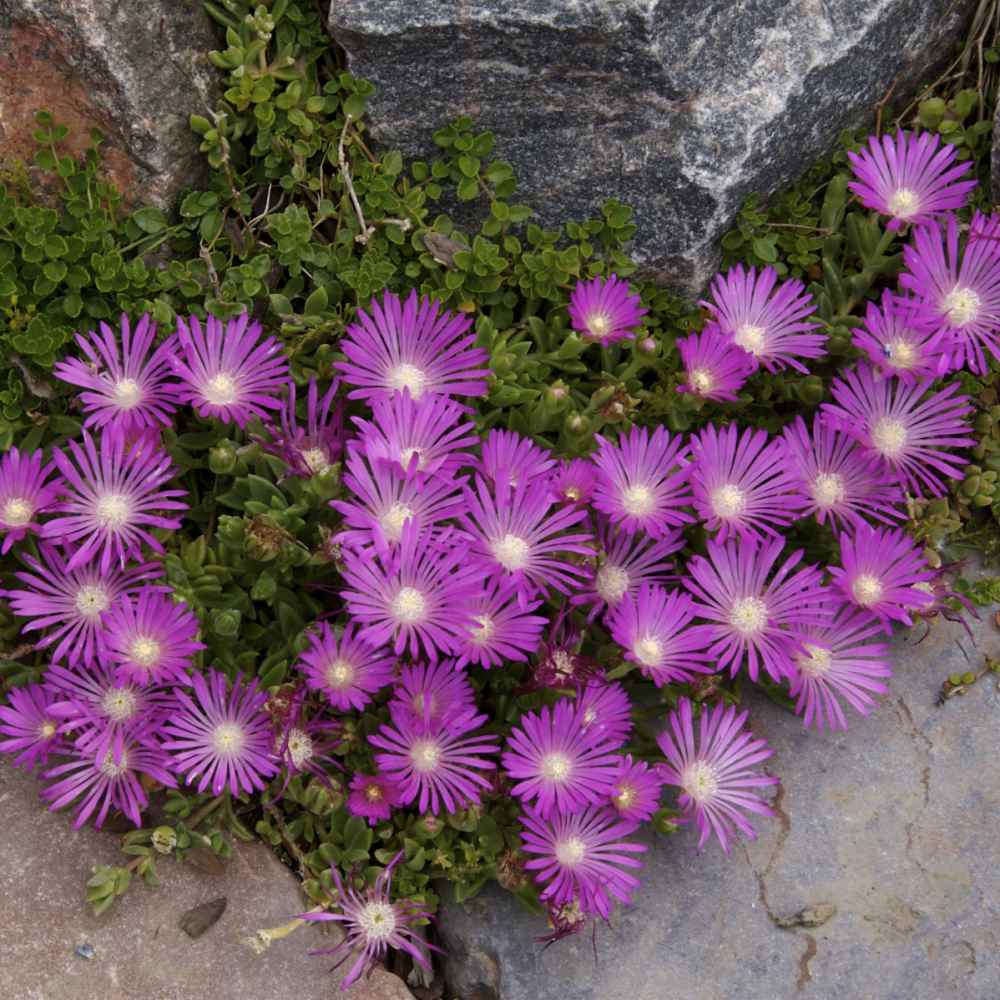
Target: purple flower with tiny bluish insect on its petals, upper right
(903, 337)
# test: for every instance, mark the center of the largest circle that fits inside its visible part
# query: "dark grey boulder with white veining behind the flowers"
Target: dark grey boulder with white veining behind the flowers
(677, 107)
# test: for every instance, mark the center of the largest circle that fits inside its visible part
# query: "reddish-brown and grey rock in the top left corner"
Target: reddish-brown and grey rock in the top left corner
(135, 71)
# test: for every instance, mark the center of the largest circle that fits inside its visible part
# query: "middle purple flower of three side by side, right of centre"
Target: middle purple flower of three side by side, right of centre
(743, 483)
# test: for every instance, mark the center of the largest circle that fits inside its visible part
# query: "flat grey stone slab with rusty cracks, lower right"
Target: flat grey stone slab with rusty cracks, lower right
(885, 841)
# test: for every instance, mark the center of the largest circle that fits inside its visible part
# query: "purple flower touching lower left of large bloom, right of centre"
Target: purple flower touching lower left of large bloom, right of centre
(654, 630)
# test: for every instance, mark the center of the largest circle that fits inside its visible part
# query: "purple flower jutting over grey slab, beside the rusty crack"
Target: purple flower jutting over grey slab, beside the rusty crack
(715, 772)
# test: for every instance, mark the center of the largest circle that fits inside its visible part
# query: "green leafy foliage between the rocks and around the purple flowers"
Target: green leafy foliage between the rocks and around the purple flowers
(301, 223)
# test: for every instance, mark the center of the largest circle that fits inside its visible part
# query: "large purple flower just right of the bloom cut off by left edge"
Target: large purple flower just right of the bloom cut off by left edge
(112, 499)
